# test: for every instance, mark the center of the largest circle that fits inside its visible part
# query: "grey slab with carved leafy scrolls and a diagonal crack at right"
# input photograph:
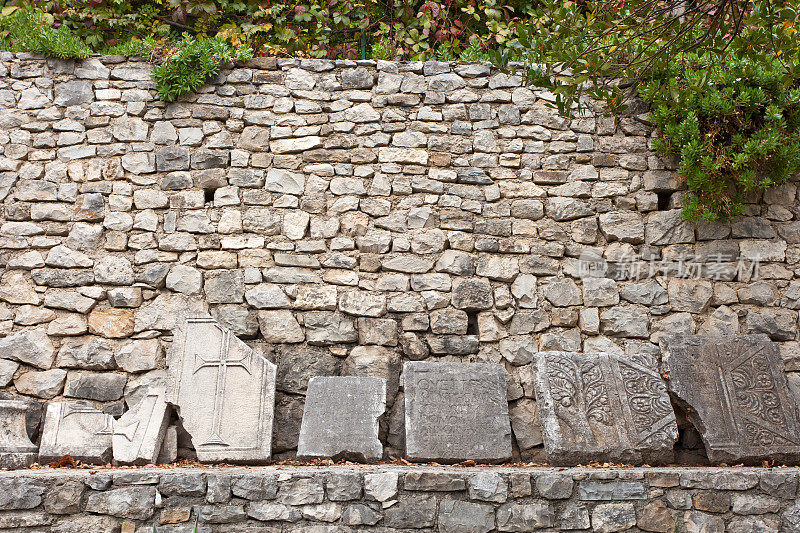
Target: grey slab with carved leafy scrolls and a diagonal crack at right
(603, 407)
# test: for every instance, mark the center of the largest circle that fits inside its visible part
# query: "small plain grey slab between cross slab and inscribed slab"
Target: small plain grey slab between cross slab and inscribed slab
(341, 418)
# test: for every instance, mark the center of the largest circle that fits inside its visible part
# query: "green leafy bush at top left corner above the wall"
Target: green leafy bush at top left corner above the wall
(27, 30)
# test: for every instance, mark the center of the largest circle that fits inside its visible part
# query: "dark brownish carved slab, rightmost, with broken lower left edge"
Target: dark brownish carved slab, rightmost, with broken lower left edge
(737, 394)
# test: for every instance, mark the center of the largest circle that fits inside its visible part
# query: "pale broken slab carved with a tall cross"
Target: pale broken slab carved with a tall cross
(224, 392)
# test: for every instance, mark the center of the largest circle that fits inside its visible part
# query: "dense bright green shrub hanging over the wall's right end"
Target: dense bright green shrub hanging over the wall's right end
(735, 125)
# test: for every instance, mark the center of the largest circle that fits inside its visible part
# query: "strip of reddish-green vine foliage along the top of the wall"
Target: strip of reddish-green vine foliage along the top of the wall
(347, 29)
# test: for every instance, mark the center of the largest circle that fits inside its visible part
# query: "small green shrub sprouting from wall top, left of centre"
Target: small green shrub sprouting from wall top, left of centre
(191, 62)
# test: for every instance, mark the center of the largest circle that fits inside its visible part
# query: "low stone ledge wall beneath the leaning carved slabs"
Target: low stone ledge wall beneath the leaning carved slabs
(394, 498)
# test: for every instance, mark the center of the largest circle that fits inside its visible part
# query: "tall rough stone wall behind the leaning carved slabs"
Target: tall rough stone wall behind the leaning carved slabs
(344, 217)
